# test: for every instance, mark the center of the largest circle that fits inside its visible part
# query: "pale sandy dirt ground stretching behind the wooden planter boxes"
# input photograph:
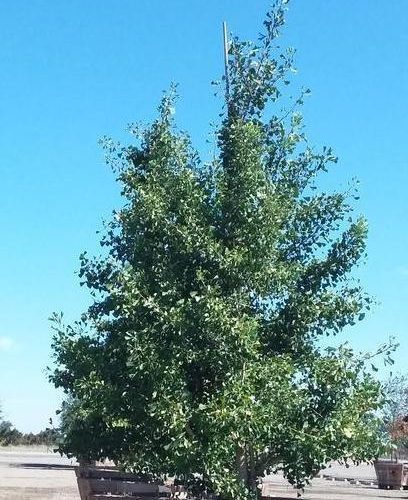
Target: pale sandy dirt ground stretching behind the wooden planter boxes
(36, 474)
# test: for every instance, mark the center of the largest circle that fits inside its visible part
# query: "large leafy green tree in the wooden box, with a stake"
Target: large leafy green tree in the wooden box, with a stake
(200, 353)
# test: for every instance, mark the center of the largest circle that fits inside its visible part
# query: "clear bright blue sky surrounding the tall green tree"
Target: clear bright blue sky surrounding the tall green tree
(73, 71)
